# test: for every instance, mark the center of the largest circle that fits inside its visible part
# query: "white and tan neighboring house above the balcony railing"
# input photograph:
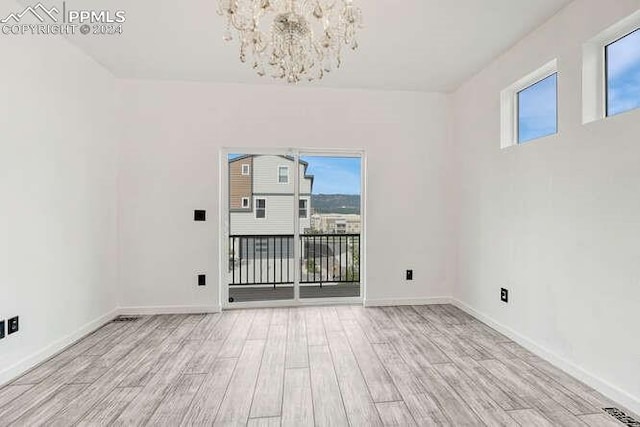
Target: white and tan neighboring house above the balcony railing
(261, 195)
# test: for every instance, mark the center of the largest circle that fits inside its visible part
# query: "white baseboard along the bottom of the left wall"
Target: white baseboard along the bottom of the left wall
(29, 362)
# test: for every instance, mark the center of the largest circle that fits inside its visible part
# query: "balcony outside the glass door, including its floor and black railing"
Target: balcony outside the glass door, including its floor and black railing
(262, 267)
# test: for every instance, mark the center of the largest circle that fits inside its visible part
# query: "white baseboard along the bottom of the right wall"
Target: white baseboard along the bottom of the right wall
(609, 390)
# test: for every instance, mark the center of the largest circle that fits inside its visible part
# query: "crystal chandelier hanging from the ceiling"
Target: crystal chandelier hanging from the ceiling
(292, 39)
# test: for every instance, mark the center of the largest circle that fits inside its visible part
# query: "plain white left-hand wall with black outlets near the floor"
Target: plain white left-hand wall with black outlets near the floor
(58, 195)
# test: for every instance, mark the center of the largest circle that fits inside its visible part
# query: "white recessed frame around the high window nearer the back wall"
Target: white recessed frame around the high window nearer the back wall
(509, 108)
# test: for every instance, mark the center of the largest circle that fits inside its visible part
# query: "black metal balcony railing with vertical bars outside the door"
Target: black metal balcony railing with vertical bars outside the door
(269, 259)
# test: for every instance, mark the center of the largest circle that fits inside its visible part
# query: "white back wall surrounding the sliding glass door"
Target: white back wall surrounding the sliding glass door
(170, 166)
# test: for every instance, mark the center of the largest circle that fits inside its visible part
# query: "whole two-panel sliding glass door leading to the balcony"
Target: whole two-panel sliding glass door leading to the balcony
(293, 229)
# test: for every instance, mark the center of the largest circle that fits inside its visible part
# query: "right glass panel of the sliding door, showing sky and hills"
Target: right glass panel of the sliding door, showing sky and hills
(330, 244)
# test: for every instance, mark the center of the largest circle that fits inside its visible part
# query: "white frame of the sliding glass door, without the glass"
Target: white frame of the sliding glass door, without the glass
(224, 227)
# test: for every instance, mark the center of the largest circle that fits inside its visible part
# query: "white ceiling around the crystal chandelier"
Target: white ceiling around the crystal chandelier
(425, 45)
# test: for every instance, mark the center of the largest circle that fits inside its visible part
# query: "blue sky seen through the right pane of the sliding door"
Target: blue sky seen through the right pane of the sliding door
(334, 175)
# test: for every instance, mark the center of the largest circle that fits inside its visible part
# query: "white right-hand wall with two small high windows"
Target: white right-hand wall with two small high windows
(556, 221)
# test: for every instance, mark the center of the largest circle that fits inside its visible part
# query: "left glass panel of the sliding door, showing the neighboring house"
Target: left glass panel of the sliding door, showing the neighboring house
(261, 227)
